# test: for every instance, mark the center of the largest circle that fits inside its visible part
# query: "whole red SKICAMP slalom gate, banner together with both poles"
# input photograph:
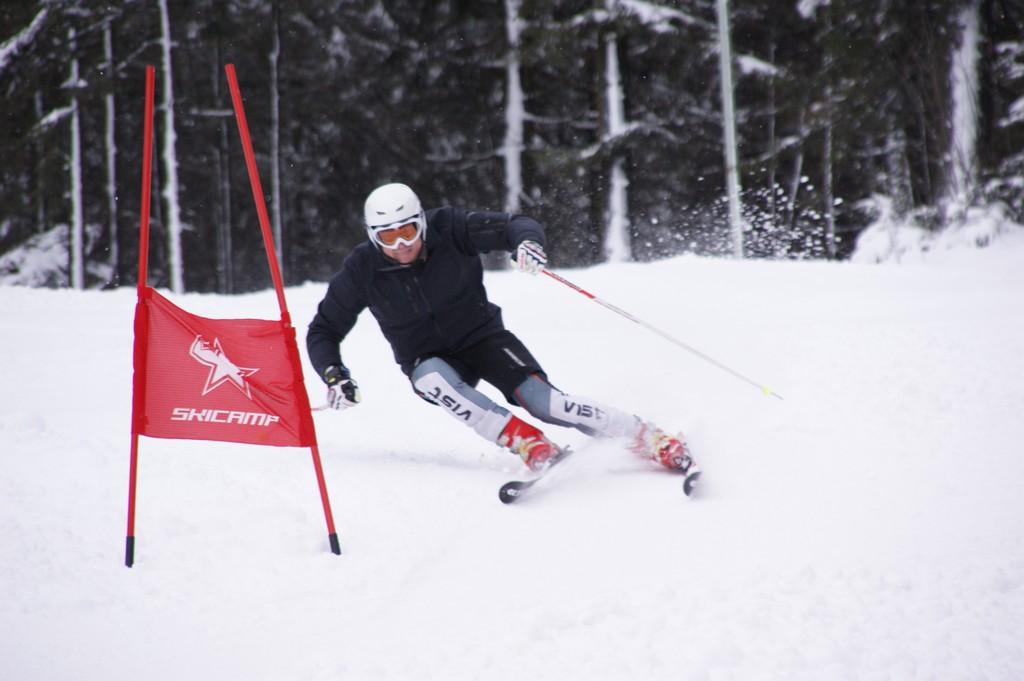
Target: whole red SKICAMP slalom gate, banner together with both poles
(229, 380)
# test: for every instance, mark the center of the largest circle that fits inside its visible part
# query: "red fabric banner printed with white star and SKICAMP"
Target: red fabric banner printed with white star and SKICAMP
(232, 380)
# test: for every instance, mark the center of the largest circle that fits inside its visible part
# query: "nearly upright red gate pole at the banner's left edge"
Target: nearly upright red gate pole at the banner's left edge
(139, 360)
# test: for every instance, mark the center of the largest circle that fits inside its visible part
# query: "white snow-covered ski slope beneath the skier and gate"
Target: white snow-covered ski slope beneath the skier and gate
(869, 527)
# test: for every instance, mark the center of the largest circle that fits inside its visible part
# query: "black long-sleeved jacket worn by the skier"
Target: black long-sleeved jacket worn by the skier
(437, 306)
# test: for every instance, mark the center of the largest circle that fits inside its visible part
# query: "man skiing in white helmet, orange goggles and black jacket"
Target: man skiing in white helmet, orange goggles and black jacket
(421, 277)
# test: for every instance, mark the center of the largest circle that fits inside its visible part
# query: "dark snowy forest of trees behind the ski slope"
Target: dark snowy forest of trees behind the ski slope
(602, 118)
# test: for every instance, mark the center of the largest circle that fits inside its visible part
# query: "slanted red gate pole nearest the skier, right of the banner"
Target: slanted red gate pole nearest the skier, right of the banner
(265, 224)
